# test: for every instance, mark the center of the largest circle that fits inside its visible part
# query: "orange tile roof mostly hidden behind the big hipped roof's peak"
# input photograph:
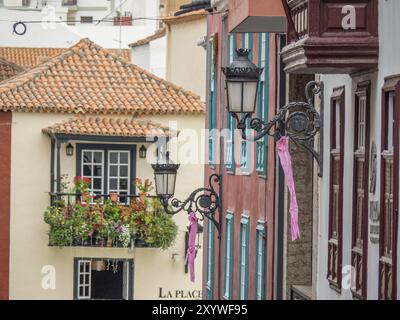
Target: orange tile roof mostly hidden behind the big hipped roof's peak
(29, 57)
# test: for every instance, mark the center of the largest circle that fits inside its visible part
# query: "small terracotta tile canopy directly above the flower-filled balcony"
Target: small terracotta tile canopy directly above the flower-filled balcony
(102, 126)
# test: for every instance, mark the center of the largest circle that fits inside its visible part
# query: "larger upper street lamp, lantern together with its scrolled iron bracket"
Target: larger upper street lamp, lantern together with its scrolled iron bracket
(299, 121)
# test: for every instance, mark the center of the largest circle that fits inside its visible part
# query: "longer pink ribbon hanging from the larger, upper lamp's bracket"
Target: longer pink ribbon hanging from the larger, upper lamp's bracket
(286, 162)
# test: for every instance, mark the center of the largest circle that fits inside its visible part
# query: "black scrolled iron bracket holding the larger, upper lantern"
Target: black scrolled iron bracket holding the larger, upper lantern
(299, 121)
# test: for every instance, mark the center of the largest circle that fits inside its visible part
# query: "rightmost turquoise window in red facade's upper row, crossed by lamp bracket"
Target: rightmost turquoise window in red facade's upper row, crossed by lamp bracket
(263, 103)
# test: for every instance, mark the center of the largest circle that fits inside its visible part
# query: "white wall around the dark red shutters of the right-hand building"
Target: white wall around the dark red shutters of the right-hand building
(389, 64)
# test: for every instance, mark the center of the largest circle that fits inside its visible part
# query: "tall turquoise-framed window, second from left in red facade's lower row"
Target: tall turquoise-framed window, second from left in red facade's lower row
(228, 260)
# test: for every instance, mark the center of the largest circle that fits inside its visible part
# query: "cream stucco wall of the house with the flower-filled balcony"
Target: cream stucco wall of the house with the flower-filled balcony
(29, 250)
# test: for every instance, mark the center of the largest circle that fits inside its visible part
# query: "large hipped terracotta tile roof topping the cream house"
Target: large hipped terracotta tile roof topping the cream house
(90, 80)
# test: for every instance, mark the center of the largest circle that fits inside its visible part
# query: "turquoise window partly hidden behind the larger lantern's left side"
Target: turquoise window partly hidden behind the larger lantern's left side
(230, 120)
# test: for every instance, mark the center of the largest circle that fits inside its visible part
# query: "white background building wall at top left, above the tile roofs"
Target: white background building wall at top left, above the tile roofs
(61, 35)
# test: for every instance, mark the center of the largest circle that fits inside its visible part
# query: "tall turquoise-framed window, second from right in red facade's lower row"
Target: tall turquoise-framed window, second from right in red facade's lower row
(244, 258)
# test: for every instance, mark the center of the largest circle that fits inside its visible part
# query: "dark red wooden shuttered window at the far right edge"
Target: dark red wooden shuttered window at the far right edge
(389, 189)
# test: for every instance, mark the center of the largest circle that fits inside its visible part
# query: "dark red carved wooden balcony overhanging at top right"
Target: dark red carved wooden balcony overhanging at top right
(321, 38)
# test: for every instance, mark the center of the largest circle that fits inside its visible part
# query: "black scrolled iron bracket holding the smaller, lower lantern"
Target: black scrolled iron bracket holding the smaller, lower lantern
(205, 201)
